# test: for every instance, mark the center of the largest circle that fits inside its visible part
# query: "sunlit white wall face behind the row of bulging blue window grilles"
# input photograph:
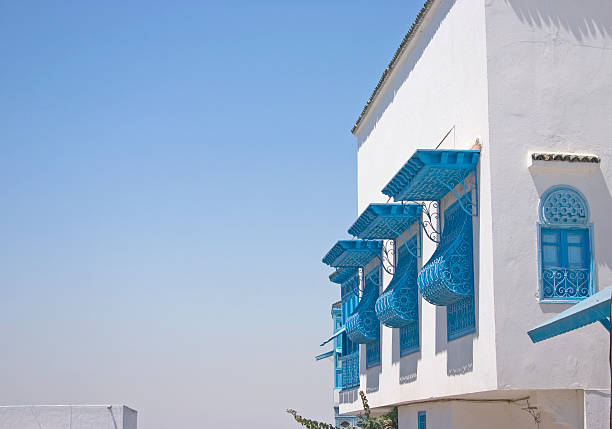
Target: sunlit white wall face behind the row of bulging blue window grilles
(440, 84)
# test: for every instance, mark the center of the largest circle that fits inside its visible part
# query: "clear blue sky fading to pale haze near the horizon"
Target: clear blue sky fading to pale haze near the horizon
(172, 174)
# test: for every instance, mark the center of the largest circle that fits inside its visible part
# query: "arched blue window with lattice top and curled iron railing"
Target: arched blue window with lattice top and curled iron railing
(565, 243)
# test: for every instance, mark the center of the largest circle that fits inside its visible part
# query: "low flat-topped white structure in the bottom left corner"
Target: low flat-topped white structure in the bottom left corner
(67, 417)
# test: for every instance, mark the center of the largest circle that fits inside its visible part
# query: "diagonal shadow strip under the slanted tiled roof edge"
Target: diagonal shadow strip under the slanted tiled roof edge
(406, 68)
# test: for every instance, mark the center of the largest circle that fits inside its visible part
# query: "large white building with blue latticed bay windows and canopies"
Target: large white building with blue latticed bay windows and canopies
(506, 105)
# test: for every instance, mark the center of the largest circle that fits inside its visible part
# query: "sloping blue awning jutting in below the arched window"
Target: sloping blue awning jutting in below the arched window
(593, 309)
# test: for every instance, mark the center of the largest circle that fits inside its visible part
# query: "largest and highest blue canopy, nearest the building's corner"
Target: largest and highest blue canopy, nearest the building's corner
(430, 174)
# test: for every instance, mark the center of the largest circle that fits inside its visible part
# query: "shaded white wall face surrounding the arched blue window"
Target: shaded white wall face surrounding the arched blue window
(550, 90)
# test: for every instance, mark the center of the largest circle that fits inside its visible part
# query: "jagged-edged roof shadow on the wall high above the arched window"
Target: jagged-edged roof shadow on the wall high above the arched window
(582, 19)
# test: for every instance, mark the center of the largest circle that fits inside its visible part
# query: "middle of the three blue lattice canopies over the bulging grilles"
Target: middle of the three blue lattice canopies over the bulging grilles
(385, 221)
